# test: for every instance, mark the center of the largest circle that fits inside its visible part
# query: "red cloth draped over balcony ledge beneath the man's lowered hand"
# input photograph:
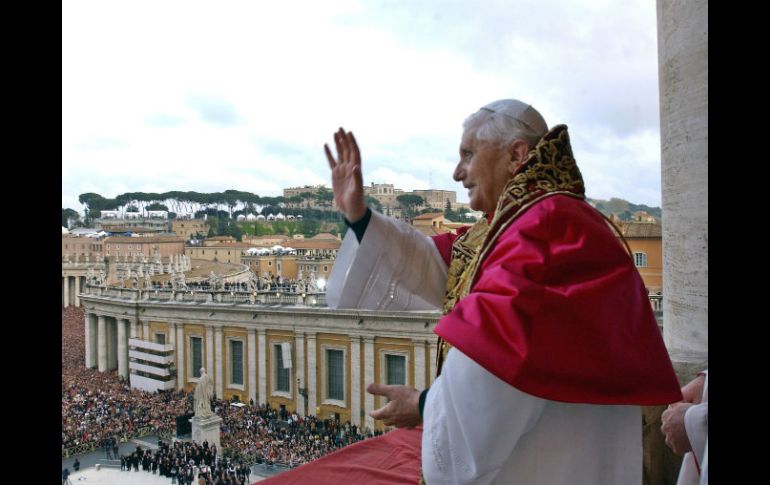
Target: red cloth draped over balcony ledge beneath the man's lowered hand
(391, 459)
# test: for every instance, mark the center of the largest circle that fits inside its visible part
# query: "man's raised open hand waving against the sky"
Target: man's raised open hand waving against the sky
(347, 182)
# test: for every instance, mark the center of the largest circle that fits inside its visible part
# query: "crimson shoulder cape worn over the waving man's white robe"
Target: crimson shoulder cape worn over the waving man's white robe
(558, 310)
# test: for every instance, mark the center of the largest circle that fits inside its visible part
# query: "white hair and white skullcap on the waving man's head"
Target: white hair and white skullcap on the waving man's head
(507, 120)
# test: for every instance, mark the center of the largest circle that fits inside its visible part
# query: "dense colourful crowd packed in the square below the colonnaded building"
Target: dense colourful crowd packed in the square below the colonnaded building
(100, 409)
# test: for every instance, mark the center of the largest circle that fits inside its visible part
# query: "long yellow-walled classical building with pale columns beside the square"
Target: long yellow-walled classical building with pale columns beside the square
(304, 357)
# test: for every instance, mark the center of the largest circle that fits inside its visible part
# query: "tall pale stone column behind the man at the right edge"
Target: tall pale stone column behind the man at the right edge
(683, 76)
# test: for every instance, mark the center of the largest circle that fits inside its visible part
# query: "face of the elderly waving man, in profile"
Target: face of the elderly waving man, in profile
(484, 169)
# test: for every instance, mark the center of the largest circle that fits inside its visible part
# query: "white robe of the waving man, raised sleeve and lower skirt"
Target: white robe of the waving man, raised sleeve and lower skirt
(478, 429)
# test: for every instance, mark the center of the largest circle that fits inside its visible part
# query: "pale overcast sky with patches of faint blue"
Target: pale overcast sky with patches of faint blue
(210, 96)
